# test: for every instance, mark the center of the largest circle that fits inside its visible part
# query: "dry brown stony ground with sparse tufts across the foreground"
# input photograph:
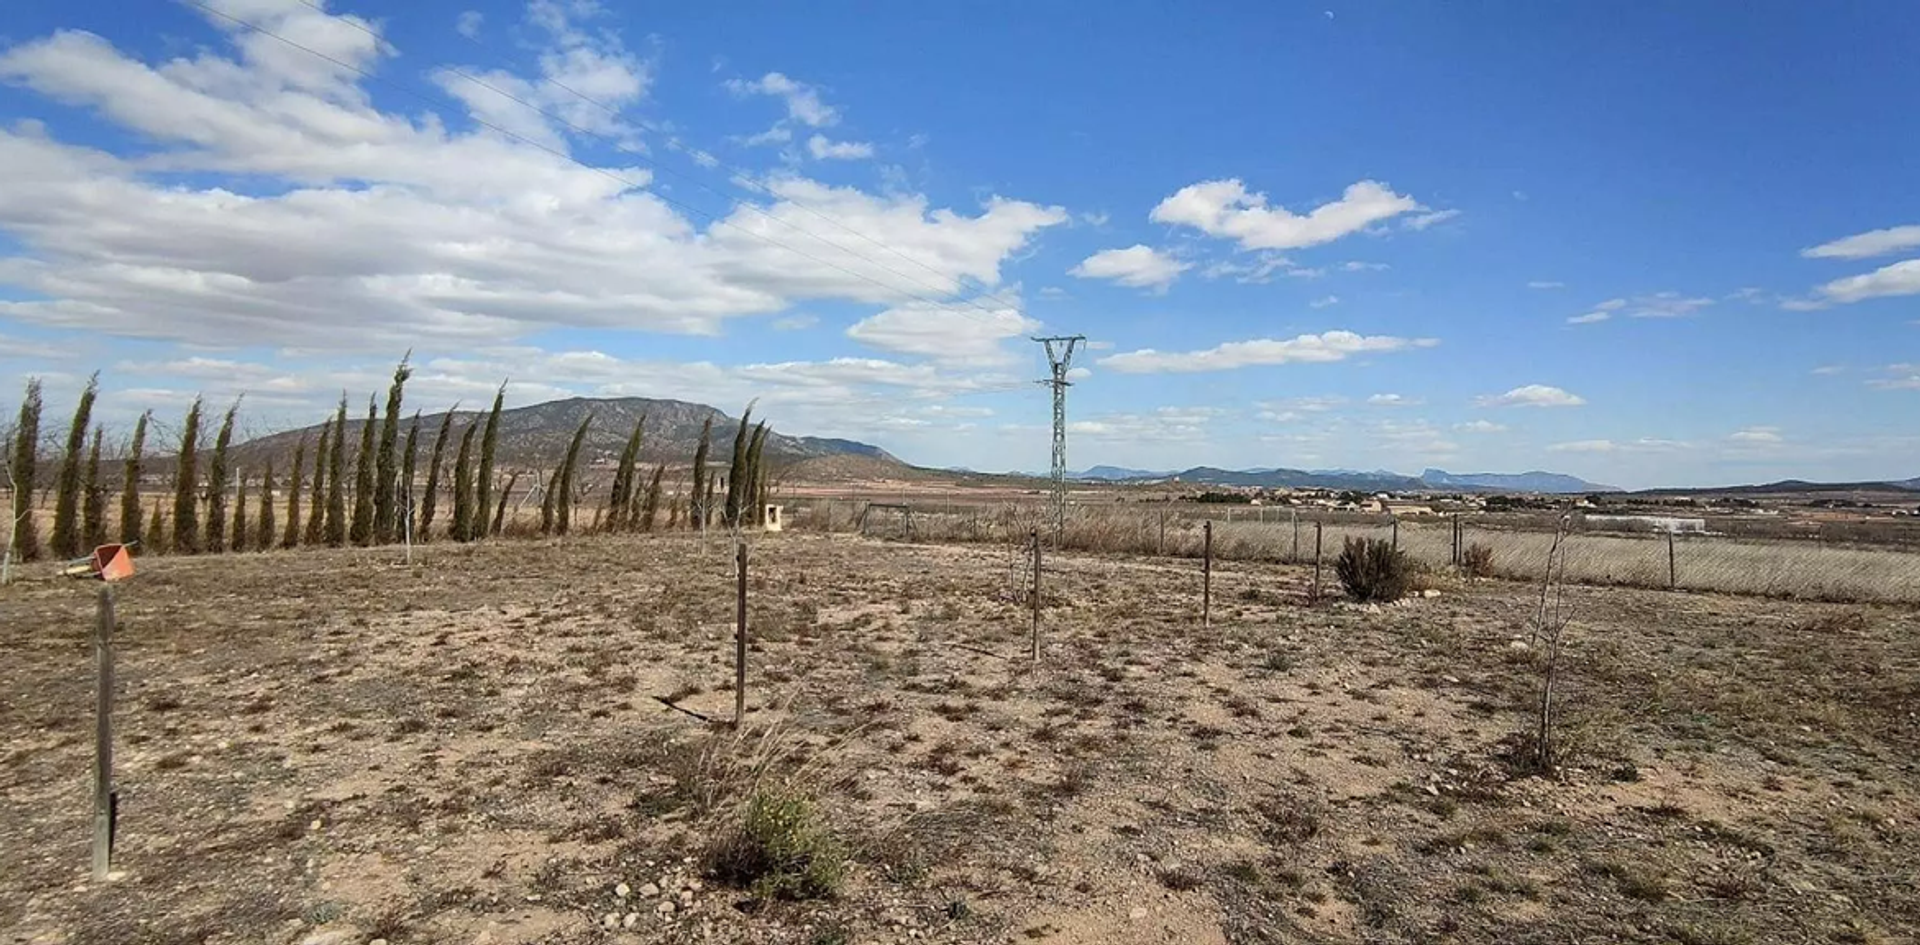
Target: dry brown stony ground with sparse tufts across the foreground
(333, 748)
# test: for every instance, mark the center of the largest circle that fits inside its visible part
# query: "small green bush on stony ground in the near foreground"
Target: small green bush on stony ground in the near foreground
(780, 850)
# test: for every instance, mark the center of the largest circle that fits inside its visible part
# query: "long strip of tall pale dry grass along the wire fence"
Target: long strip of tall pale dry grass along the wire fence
(1775, 568)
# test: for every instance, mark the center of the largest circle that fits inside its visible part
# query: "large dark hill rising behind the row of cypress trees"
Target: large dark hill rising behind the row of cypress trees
(537, 437)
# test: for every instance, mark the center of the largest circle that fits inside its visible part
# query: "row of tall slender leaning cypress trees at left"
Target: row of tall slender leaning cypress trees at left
(379, 506)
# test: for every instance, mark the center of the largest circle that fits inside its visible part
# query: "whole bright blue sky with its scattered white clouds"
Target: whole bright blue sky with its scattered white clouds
(1639, 243)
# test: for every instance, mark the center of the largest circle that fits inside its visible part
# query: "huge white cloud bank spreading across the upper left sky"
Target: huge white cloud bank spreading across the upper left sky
(395, 231)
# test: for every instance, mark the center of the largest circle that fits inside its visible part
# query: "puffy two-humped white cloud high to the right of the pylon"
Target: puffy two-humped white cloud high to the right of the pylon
(1228, 210)
